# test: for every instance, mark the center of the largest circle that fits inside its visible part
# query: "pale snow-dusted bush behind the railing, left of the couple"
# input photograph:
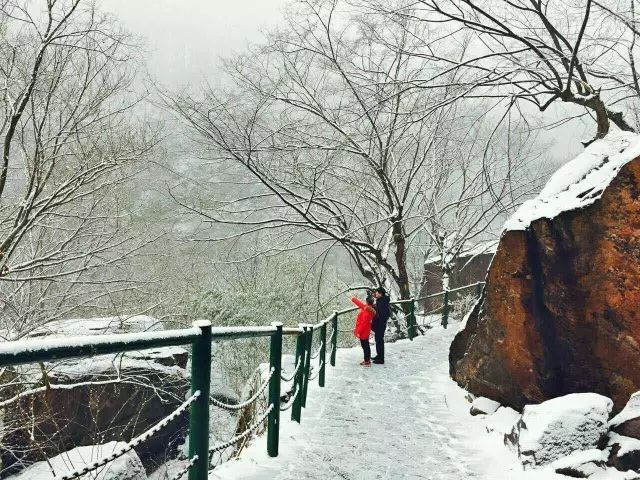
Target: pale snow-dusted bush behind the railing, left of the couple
(265, 290)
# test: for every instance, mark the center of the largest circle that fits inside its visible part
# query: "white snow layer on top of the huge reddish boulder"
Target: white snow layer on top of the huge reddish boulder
(580, 182)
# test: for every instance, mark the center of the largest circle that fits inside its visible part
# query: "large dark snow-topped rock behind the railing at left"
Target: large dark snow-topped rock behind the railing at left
(97, 400)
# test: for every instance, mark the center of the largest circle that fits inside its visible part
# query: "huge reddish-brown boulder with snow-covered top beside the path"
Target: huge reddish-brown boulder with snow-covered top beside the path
(559, 312)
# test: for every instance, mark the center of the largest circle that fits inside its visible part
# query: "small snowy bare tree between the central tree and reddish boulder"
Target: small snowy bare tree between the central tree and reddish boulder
(475, 192)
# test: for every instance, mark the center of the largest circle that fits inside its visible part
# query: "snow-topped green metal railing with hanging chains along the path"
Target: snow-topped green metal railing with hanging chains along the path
(200, 337)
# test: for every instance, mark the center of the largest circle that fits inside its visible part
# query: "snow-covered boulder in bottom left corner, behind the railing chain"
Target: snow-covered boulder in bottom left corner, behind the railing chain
(127, 467)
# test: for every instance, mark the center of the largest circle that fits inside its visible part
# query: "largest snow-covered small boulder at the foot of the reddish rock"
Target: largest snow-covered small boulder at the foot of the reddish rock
(557, 428)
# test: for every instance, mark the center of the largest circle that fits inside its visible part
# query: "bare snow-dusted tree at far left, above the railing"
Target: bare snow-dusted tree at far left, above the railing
(68, 145)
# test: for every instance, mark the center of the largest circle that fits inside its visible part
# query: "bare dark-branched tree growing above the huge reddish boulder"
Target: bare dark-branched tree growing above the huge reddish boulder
(541, 52)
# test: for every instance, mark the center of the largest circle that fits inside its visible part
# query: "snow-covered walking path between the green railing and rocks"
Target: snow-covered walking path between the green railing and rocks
(402, 420)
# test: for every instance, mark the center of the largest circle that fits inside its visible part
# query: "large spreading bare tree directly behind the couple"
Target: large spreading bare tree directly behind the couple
(326, 140)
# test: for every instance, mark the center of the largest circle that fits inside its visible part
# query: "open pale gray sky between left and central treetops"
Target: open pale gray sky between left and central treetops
(184, 38)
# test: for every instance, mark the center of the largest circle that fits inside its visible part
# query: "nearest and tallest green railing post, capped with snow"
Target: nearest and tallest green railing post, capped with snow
(199, 417)
